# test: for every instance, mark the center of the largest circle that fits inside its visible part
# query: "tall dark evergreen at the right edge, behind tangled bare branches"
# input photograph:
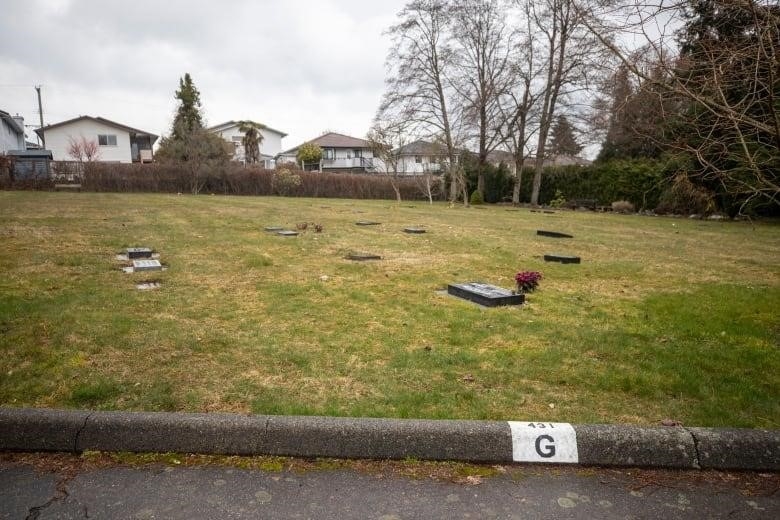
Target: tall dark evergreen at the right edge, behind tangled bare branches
(729, 58)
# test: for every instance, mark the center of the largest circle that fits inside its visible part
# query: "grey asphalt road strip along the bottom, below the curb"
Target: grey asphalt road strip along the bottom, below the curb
(62, 487)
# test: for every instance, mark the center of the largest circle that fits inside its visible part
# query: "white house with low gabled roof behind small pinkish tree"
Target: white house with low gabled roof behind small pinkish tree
(116, 142)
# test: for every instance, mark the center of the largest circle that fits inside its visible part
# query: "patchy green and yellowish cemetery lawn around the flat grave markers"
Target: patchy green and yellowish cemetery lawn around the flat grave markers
(664, 318)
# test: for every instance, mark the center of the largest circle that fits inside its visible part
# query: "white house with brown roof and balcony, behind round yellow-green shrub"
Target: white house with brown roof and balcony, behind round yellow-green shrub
(339, 152)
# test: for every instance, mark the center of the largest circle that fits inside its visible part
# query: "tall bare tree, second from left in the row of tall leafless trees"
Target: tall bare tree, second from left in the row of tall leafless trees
(483, 70)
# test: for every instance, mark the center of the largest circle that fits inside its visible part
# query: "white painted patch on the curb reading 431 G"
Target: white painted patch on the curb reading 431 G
(543, 442)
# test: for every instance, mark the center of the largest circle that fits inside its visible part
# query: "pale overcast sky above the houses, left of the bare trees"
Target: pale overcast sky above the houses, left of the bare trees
(301, 66)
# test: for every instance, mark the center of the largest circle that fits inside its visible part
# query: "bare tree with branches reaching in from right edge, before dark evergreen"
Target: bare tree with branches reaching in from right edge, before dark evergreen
(720, 61)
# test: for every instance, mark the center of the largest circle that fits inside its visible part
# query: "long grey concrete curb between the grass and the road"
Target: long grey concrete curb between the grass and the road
(473, 441)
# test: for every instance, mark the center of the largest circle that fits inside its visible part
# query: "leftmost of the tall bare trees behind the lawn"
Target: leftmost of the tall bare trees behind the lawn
(418, 88)
